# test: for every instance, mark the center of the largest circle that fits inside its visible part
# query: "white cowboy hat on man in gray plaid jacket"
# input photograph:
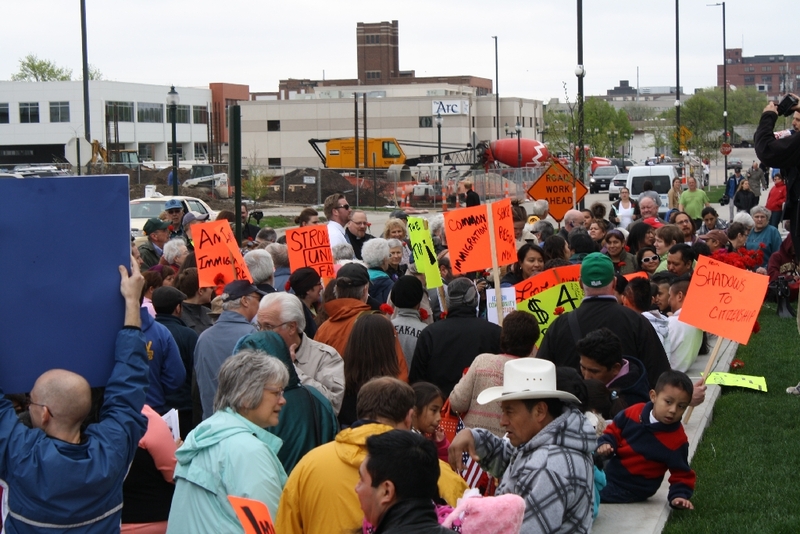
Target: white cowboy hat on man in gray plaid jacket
(526, 378)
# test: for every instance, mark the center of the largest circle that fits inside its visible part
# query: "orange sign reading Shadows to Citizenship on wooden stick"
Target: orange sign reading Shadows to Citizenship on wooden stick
(723, 299)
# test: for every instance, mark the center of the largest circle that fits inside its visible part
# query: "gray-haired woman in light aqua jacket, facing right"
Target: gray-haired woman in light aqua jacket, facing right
(230, 453)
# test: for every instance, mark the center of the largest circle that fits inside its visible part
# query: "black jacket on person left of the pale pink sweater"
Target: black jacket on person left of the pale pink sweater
(446, 348)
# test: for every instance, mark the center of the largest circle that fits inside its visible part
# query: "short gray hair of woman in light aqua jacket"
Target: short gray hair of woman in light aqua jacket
(242, 378)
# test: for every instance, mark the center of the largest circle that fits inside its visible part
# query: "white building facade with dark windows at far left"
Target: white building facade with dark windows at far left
(37, 119)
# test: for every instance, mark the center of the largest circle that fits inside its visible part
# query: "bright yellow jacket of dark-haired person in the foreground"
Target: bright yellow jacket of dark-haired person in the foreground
(320, 497)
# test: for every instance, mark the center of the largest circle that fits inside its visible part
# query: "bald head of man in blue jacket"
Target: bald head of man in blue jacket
(67, 397)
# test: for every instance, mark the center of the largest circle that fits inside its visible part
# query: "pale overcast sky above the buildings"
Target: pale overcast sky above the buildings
(193, 43)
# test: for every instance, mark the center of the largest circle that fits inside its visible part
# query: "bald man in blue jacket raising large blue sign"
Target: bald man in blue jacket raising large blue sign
(60, 479)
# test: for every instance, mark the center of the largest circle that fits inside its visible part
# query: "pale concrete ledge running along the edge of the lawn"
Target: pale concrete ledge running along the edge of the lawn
(651, 516)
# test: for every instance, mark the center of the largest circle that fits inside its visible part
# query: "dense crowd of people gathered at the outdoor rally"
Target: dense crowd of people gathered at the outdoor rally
(325, 399)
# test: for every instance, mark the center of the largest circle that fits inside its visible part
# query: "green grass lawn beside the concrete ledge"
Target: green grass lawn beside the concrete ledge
(748, 462)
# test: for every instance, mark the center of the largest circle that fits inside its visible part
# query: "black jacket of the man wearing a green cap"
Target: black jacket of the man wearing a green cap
(638, 337)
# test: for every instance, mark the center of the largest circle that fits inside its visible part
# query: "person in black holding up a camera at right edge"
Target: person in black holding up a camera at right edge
(783, 153)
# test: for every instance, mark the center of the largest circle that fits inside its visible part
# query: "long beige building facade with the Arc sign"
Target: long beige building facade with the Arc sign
(276, 133)
